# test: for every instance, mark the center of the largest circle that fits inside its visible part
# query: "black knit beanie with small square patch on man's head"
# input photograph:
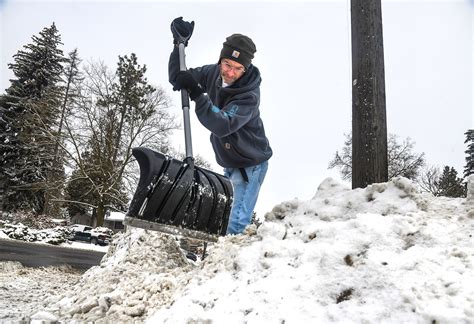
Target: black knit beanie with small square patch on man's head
(238, 48)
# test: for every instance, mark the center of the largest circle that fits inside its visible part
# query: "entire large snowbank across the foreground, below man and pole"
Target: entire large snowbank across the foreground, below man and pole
(381, 254)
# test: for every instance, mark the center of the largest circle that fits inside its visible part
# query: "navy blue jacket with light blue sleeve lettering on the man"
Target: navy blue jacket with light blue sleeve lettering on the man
(231, 114)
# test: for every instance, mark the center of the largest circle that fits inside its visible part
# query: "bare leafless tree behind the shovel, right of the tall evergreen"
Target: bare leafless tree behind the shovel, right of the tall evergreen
(99, 151)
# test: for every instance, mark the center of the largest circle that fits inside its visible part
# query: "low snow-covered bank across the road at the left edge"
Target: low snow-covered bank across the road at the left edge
(22, 232)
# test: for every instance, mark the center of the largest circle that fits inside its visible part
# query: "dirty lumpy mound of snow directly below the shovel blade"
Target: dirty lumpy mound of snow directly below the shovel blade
(139, 274)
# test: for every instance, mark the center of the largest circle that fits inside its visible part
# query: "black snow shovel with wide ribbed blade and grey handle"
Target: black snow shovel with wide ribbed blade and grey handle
(177, 197)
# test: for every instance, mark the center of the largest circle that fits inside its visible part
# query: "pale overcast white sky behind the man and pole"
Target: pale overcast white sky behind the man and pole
(303, 53)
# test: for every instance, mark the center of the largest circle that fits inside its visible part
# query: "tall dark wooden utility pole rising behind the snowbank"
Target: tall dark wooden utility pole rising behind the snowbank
(369, 124)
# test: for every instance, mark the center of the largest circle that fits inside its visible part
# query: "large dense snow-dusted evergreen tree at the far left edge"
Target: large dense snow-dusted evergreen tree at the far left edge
(28, 122)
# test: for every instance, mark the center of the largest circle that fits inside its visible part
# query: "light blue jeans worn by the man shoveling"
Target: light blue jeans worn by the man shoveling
(245, 195)
